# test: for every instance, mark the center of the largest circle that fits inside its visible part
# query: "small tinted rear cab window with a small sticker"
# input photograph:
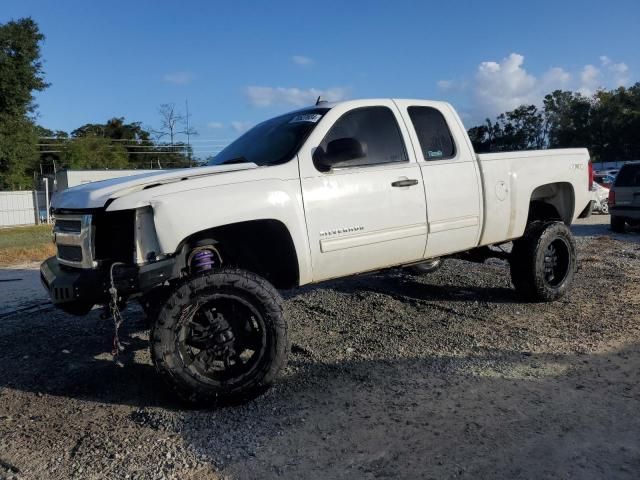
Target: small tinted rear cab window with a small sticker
(434, 135)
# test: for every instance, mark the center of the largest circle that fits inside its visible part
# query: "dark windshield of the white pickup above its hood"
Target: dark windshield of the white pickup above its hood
(272, 142)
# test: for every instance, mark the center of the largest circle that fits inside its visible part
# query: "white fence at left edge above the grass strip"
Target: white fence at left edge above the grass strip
(26, 207)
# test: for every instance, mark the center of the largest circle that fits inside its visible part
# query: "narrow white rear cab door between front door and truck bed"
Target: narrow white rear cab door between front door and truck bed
(450, 174)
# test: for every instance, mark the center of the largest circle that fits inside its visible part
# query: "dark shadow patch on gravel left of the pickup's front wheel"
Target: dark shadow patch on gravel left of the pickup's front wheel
(57, 354)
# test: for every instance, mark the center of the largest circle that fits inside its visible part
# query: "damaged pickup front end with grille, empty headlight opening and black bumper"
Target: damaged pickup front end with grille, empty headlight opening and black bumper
(95, 248)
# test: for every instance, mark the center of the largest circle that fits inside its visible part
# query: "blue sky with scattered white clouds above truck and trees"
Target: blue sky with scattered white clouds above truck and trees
(240, 62)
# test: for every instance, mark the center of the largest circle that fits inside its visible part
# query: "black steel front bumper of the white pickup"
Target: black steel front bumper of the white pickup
(67, 286)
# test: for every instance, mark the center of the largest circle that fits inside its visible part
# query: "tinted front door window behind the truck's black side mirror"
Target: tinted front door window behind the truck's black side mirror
(377, 131)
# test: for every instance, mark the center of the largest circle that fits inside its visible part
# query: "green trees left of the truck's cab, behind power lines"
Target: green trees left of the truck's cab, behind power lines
(27, 148)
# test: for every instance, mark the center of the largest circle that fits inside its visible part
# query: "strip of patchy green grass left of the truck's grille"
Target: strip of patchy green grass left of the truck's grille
(25, 244)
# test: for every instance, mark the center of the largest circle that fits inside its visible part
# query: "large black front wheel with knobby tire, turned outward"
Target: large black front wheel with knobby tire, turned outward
(220, 338)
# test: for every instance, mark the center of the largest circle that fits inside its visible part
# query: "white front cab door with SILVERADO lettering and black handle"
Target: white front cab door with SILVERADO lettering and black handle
(362, 192)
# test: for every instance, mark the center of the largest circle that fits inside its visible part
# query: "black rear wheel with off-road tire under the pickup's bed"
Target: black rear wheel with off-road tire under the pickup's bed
(543, 261)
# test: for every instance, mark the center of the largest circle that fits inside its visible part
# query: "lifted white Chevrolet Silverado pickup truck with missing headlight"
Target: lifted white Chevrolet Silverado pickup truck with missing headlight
(328, 191)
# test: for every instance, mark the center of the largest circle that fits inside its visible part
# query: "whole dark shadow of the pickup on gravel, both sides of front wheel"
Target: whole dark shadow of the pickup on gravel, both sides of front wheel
(57, 354)
